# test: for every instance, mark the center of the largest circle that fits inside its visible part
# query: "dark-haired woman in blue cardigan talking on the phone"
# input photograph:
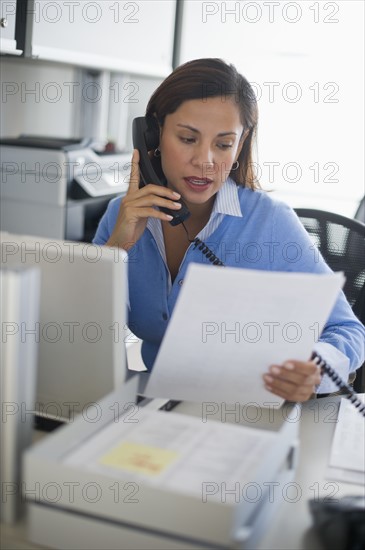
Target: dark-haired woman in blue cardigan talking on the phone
(207, 116)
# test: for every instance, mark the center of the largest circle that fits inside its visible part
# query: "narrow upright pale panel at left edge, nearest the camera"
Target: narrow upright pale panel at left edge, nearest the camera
(20, 289)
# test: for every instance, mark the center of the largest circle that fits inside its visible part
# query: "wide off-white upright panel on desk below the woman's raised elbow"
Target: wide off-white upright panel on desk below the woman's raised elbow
(82, 320)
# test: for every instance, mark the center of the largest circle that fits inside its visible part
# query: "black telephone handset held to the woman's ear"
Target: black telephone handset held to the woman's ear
(146, 137)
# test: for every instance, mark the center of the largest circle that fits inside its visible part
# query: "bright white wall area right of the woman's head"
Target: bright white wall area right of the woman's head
(306, 62)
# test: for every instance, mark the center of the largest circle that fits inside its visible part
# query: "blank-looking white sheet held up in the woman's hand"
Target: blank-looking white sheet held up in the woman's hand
(230, 324)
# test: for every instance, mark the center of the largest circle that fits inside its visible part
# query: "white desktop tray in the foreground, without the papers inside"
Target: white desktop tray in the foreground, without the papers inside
(72, 507)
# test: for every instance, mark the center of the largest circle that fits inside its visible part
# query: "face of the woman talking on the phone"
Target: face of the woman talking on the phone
(199, 143)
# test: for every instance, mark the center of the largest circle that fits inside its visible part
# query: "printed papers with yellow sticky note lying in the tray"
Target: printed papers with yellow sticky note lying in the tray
(175, 451)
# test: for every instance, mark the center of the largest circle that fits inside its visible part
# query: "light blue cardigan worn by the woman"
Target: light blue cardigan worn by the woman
(247, 229)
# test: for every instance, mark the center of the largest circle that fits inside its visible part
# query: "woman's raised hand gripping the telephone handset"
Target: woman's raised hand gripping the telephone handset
(138, 205)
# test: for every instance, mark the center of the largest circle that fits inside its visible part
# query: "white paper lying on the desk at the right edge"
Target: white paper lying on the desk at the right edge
(347, 461)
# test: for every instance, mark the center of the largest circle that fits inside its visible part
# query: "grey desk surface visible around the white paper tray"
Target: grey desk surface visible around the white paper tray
(291, 526)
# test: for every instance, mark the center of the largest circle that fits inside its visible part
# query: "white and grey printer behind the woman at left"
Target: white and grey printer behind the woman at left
(57, 188)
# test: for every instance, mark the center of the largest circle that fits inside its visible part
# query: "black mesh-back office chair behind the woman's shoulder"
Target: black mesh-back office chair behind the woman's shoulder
(341, 242)
